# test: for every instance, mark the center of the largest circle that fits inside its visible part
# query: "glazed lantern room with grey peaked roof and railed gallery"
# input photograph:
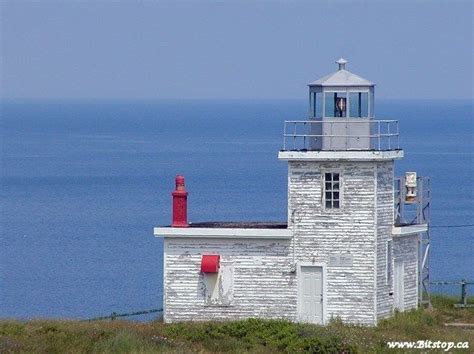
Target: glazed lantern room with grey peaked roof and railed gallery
(341, 116)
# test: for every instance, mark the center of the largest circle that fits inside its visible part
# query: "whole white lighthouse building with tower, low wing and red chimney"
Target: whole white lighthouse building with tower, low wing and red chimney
(345, 251)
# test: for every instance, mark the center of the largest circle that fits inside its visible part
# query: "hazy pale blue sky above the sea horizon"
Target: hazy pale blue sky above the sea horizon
(103, 49)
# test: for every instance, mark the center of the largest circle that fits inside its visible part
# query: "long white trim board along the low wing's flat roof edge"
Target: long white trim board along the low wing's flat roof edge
(201, 232)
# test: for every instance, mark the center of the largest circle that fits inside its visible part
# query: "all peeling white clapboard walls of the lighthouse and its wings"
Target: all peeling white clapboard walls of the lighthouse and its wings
(264, 271)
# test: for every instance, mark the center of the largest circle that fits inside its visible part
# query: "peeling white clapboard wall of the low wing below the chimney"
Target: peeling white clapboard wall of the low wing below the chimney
(263, 285)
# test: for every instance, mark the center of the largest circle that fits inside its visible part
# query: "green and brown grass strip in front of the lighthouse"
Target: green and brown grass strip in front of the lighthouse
(252, 335)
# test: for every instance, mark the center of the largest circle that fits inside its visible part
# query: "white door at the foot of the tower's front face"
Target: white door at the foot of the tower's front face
(311, 294)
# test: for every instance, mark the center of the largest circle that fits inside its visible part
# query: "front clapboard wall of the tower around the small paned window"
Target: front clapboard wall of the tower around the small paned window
(351, 230)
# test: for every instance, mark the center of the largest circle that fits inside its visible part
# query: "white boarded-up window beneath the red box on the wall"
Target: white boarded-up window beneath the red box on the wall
(219, 287)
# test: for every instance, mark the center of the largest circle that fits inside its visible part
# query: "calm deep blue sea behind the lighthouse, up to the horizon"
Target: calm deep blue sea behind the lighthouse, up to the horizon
(85, 182)
